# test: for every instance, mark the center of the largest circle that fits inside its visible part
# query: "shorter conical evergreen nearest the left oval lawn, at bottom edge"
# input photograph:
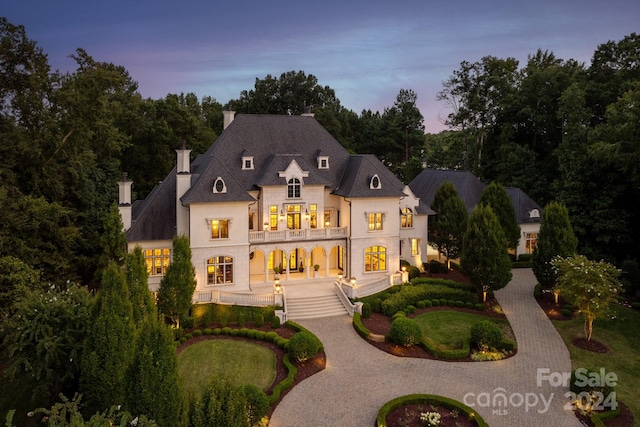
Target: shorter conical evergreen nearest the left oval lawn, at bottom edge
(152, 383)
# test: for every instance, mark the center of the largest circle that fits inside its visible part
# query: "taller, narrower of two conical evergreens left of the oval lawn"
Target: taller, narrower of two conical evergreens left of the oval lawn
(107, 351)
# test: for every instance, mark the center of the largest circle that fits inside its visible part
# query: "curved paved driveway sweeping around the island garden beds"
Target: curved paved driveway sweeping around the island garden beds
(359, 378)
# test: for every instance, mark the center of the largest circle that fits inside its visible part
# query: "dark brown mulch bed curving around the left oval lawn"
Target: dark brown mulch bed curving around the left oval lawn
(305, 369)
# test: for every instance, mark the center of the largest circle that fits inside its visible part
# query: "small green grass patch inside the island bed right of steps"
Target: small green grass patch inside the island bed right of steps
(450, 329)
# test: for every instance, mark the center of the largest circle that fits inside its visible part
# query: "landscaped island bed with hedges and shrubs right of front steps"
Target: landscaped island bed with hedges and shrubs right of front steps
(444, 311)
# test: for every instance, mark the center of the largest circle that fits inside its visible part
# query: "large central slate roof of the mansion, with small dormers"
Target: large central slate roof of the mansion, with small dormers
(269, 138)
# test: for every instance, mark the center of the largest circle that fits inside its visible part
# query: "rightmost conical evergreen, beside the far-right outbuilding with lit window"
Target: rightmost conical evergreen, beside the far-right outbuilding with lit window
(556, 238)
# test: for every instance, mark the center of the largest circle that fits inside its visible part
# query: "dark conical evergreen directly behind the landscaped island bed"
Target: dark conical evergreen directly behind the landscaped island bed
(484, 257)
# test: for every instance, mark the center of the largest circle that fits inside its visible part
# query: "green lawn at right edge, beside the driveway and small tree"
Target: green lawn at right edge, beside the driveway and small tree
(622, 336)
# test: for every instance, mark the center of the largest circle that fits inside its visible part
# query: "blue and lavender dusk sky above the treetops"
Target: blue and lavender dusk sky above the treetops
(365, 50)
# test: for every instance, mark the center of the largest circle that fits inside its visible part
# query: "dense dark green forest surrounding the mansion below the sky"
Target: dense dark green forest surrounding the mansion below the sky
(558, 129)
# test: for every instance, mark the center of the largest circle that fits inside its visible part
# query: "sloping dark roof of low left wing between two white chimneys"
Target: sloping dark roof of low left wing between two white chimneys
(154, 218)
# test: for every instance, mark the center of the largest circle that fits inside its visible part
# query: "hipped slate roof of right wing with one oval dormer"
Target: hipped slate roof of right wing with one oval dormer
(356, 182)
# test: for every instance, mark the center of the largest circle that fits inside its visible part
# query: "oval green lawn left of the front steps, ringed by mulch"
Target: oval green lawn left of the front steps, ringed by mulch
(240, 362)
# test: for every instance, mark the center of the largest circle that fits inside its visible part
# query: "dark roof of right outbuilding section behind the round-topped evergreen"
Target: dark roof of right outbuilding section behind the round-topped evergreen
(426, 184)
